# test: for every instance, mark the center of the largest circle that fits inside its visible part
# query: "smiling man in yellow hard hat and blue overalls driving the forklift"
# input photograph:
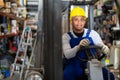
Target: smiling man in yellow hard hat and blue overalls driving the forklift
(72, 43)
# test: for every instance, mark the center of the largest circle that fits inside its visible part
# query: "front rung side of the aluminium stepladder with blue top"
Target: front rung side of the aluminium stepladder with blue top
(20, 61)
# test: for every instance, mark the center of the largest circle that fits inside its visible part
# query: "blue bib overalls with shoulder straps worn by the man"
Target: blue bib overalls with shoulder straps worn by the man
(74, 67)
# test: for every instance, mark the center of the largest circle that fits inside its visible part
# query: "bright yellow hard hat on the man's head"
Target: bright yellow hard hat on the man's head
(77, 11)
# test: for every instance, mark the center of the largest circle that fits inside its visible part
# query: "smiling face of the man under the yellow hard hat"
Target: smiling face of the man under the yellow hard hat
(78, 23)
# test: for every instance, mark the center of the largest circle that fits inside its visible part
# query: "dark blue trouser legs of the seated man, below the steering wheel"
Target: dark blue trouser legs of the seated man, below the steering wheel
(72, 72)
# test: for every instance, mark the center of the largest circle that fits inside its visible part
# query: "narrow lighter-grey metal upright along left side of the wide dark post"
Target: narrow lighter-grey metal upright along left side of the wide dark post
(39, 44)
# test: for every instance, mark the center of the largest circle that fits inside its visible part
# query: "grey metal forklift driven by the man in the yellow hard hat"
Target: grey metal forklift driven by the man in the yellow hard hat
(48, 50)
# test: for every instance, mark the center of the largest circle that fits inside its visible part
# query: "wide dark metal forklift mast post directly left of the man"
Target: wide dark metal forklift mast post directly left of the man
(52, 40)
